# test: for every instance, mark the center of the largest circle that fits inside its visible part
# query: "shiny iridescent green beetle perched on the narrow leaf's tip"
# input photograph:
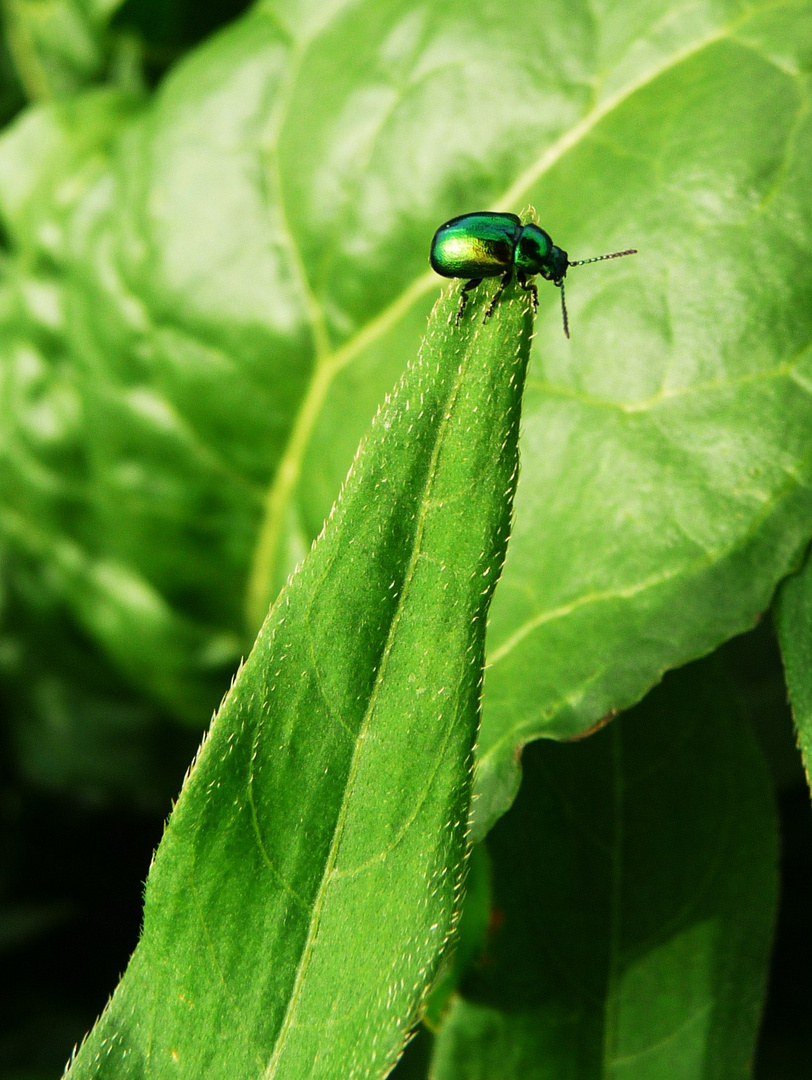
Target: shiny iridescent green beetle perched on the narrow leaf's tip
(489, 246)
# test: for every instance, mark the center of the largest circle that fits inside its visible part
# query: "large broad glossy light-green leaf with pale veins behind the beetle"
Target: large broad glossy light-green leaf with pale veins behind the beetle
(247, 278)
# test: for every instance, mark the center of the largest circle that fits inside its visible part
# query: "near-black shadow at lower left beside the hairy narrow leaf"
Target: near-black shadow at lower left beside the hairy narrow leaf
(72, 882)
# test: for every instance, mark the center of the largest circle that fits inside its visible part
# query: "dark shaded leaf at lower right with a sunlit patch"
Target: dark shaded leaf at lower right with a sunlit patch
(637, 884)
